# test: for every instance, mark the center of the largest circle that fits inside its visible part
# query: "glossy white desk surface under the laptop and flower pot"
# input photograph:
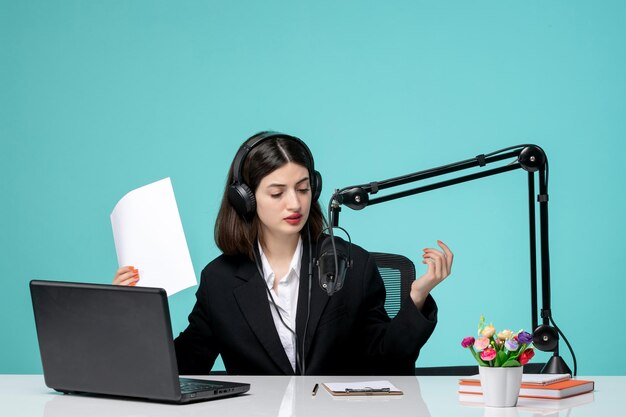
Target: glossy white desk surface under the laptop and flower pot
(27, 395)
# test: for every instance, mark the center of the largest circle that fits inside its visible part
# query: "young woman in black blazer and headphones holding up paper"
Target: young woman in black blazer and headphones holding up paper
(259, 305)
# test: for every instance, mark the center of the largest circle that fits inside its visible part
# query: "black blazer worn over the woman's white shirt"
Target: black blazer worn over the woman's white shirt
(347, 334)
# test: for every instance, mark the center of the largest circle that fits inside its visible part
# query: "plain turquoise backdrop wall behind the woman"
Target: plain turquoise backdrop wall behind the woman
(100, 97)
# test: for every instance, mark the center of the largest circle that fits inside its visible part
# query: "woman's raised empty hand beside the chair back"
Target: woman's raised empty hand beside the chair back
(439, 268)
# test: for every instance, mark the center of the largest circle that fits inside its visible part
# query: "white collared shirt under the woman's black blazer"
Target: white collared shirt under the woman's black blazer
(286, 299)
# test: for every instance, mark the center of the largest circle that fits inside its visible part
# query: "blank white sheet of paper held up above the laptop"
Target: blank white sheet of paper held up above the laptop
(149, 235)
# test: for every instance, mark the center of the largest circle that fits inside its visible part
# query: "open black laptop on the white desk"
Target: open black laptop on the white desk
(113, 340)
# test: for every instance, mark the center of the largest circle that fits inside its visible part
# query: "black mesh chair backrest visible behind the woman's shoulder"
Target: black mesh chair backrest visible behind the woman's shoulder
(398, 273)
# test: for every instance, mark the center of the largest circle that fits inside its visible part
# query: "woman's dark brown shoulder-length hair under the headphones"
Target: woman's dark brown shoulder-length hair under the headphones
(235, 235)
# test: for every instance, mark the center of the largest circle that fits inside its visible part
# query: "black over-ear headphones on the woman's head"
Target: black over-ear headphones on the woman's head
(239, 193)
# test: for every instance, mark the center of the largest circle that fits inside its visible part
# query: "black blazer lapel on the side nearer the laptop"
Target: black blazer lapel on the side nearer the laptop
(253, 302)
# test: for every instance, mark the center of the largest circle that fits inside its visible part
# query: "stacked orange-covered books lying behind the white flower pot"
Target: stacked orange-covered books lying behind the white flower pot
(534, 386)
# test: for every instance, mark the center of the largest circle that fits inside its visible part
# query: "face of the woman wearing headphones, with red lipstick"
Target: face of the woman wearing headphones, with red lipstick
(283, 201)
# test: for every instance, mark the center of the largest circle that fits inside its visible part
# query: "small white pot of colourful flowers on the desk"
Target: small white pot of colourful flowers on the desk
(501, 357)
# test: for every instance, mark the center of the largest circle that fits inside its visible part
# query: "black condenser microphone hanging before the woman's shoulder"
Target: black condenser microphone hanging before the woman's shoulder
(333, 263)
